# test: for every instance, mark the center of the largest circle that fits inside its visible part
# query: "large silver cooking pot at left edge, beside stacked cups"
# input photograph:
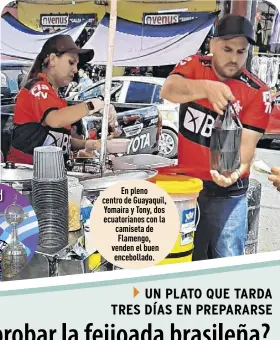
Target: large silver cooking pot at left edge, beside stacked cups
(19, 177)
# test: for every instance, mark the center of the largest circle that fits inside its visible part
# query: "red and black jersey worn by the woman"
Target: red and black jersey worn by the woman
(34, 102)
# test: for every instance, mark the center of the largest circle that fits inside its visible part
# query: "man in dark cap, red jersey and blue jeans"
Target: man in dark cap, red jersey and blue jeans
(204, 86)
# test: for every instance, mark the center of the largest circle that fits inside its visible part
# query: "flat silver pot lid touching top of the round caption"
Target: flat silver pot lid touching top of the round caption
(109, 179)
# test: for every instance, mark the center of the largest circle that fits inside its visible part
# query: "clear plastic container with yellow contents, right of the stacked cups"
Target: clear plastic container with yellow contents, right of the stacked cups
(75, 190)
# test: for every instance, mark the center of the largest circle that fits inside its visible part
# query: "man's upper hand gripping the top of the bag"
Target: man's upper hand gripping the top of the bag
(218, 95)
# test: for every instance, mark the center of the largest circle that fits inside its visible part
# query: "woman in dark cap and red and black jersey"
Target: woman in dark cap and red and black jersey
(41, 116)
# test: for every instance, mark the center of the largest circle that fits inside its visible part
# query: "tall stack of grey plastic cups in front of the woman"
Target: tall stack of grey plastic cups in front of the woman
(50, 198)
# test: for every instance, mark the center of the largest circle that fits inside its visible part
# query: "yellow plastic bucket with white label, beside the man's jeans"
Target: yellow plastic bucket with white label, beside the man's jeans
(184, 191)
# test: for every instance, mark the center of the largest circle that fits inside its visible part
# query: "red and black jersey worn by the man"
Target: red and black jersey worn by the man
(196, 120)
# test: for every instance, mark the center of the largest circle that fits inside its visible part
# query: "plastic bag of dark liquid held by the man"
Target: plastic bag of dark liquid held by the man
(225, 142)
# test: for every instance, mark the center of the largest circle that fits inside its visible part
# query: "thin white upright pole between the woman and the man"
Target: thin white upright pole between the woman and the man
(108, 81)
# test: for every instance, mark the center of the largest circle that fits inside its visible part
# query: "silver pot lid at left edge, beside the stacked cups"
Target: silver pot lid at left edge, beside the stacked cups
(10, 172)
